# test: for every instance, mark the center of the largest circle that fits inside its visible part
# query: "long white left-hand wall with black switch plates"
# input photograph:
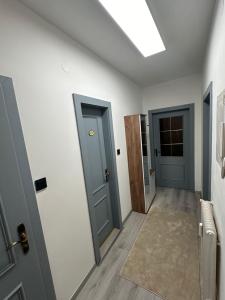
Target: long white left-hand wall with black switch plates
(47, 67)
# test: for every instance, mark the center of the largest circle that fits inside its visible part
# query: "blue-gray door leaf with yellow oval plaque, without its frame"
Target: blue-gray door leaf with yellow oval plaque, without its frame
(98, 173)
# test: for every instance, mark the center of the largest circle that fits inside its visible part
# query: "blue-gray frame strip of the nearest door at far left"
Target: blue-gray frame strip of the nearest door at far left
(28, 186)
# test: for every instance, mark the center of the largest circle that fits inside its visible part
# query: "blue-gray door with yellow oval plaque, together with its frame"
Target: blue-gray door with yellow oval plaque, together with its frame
(100, 203)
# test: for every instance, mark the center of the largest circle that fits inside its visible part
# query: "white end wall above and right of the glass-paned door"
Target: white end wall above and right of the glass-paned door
(178, 92)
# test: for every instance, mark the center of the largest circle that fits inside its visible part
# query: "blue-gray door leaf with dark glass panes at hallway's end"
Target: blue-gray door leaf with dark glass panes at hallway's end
(172, 152)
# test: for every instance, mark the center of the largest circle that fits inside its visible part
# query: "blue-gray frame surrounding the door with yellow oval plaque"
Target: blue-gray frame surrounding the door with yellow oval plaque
(80, 100)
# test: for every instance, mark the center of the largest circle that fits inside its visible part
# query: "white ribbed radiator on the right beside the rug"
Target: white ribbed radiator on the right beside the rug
(207, 230)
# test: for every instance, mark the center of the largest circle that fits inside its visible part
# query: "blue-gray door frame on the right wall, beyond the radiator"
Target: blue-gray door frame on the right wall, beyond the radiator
(207, 161)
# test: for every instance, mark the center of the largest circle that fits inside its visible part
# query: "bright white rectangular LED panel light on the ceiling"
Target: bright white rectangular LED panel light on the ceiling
(135, 19)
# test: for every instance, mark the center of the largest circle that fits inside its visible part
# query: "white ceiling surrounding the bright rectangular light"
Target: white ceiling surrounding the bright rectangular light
(184, 26)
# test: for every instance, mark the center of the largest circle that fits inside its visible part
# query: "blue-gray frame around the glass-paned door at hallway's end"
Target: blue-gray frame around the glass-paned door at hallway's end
(190, 109)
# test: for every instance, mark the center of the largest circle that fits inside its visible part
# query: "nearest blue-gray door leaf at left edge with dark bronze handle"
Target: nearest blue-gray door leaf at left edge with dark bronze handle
(20, 274)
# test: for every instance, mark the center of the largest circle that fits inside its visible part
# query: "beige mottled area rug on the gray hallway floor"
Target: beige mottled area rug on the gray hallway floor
(165, 256)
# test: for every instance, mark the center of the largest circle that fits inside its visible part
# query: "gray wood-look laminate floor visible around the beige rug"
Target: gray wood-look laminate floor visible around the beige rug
(105, 282)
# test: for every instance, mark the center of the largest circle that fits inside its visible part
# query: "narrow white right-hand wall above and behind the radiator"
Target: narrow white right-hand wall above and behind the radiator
(215, 72)
